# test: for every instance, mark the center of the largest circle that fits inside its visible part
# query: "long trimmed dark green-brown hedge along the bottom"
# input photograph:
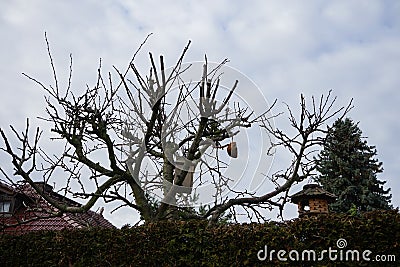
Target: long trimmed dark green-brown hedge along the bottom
(192, 243)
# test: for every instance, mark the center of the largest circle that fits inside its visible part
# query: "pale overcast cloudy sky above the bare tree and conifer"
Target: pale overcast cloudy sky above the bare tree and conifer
(285, 47)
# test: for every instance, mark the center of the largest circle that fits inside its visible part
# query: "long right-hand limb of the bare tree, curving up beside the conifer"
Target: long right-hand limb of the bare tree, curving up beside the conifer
(301, 145)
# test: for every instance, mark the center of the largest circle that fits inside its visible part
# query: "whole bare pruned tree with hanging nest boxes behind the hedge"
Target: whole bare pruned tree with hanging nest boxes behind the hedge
(149, 133)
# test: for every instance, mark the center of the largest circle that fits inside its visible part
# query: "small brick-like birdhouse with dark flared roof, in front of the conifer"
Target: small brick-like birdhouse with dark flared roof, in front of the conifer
(312, 200)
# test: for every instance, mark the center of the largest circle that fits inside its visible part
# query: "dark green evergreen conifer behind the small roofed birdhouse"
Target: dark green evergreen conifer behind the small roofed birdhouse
(348, 168)
